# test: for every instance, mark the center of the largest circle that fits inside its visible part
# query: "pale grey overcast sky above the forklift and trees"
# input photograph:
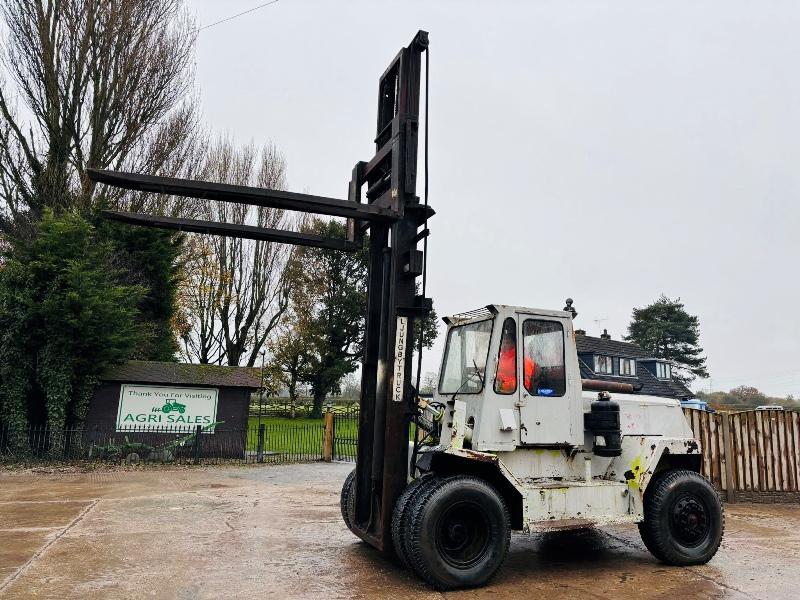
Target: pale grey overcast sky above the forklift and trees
(604, 151)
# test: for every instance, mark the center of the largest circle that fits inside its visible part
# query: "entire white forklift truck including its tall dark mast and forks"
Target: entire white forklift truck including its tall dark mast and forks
(513, 438)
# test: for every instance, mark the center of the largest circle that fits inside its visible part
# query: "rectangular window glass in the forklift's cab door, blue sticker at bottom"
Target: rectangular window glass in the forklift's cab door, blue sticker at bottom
(543, 369)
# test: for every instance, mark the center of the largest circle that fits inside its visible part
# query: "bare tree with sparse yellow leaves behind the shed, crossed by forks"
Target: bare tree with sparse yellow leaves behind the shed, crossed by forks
(237, 289)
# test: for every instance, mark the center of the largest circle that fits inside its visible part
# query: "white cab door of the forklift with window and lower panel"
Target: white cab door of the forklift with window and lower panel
(546, 390)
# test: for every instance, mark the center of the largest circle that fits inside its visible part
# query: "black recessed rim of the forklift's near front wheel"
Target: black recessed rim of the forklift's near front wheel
(463, 535)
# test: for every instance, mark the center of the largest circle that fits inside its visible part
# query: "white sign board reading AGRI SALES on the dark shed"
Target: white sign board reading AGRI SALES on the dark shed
(152, 407)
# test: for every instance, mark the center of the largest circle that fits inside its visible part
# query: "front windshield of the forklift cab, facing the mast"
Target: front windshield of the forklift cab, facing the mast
(465, 355)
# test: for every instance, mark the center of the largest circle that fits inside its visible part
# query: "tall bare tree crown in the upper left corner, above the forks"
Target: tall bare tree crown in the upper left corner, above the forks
(105, 84)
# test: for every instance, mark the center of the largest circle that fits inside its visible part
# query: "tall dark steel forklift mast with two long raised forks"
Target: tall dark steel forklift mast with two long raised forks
(382, 200)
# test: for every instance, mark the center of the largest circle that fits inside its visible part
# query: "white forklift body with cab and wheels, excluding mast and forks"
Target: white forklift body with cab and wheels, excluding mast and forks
(514, 439)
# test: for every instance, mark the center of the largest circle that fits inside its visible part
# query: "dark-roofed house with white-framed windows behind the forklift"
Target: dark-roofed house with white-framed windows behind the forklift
(604, 359)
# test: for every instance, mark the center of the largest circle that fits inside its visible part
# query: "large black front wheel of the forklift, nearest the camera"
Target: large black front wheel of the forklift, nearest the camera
(458, 532)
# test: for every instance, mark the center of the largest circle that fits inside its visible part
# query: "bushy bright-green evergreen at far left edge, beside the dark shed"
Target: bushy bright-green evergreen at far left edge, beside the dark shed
(65, 317)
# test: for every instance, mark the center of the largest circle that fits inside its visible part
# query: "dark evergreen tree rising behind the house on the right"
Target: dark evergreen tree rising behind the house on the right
(667, 331)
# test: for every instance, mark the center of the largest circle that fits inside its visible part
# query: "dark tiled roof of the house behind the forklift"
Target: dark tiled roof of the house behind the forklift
(645, 381)
